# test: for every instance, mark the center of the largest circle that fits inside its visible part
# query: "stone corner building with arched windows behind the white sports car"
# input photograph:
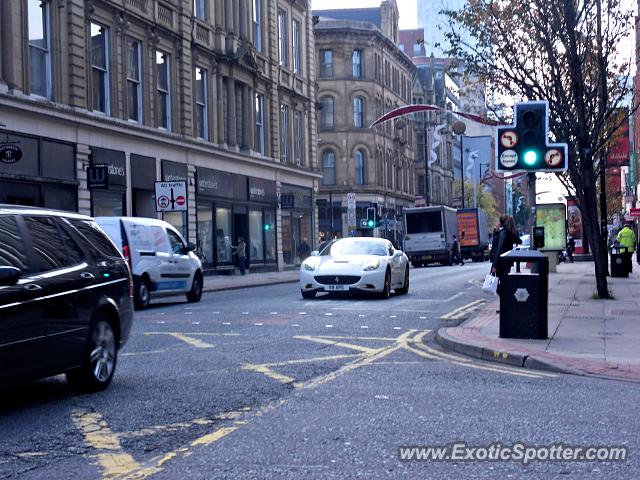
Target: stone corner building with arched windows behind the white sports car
(362, 74)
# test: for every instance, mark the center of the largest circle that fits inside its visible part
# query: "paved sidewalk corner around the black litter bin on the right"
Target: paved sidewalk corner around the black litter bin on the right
(586, 337)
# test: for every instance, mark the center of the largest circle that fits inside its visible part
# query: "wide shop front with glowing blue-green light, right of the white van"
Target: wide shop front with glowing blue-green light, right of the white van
(230, 206)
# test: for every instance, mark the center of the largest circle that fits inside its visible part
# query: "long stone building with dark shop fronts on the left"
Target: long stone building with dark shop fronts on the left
(219, 94)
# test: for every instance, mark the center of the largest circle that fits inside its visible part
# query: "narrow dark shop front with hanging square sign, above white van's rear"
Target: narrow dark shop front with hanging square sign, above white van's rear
(110, 201)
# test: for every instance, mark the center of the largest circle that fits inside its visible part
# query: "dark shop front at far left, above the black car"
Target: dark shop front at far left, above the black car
(37, 171)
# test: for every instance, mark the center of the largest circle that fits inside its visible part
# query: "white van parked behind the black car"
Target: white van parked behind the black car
(161, 262)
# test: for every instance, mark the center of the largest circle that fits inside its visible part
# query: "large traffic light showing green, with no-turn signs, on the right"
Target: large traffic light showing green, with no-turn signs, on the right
(524, 146)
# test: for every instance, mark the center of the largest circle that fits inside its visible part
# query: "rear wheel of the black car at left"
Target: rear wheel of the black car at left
(99, 358)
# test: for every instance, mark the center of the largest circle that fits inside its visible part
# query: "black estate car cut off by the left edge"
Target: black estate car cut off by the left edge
(65, 298)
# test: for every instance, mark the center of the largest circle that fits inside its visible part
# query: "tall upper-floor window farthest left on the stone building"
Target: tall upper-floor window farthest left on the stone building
(39, 49)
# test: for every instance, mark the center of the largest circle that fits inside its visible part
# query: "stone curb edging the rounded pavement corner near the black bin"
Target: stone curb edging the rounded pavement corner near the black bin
(513, 358)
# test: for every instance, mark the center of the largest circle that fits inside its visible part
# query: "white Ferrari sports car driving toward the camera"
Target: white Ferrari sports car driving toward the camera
(356, 264)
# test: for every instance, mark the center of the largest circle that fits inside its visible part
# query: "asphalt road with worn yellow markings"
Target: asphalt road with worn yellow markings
(259, 383)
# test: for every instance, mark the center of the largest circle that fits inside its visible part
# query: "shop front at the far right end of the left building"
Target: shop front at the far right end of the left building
(297, 222)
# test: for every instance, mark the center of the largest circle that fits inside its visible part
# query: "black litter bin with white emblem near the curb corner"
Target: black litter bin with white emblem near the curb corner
(524, 296)
